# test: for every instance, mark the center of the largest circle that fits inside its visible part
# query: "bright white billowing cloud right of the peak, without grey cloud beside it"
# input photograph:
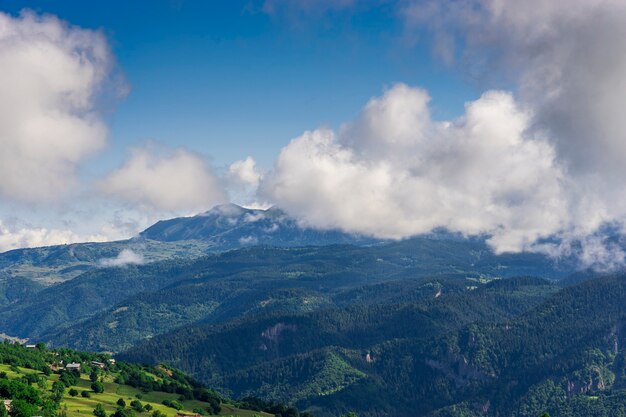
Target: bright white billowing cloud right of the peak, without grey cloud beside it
(395, 172)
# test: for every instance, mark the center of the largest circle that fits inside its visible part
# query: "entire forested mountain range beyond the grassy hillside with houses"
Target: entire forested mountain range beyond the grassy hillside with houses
(252, 303)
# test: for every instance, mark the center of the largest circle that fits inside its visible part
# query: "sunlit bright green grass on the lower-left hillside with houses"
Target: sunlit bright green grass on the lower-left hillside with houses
(82, 407)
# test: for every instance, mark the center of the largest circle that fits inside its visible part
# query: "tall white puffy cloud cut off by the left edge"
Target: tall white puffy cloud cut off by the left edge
(51, 73)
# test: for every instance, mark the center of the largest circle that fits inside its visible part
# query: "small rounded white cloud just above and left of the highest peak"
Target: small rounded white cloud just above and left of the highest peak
(175, 181)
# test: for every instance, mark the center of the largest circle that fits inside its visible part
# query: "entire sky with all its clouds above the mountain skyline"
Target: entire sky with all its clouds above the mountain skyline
(389, 118)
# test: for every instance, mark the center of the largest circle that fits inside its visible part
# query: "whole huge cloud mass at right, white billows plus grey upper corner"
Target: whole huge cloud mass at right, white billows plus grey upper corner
(539, 168)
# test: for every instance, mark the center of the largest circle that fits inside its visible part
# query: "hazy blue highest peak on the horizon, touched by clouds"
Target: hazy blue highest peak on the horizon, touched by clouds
(230, 226)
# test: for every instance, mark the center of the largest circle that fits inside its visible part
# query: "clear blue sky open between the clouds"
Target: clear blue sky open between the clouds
(226, 79)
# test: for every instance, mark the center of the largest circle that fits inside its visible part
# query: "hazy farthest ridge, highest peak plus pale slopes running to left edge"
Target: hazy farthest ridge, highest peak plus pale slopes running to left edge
(220, 229)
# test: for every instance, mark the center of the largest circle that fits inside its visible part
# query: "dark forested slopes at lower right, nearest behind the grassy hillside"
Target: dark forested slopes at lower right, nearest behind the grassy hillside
(509, 348)
